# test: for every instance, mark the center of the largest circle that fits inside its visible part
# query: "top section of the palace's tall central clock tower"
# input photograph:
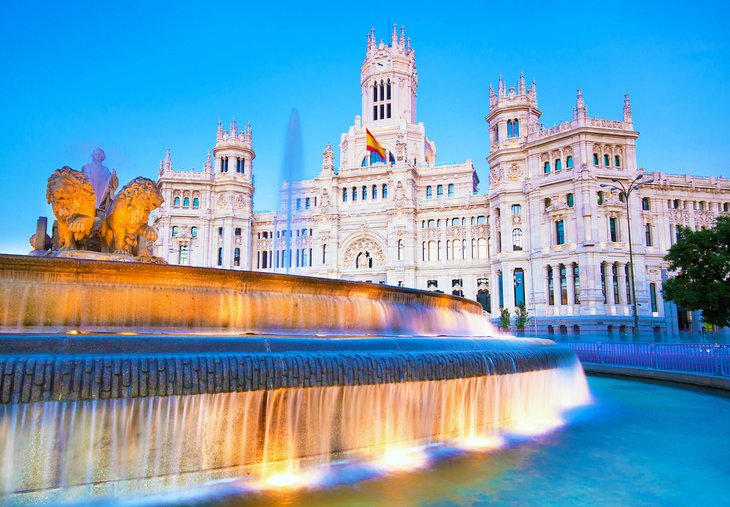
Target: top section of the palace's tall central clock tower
(389, 80)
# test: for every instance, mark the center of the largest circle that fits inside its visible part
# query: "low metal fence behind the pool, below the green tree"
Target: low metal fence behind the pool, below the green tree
(701, 359)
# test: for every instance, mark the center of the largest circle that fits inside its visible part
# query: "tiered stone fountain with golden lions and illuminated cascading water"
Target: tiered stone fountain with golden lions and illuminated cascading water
(128, 377)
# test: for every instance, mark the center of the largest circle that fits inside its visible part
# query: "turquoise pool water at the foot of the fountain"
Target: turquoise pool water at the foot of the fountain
(638, 444)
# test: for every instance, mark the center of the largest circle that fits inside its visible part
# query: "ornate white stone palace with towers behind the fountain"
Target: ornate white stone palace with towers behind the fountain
(544, 234)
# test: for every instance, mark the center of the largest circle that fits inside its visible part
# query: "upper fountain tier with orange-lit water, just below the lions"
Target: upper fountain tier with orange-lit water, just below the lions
(59, 295)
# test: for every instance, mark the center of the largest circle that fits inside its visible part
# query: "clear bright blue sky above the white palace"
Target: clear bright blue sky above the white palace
(135, 78)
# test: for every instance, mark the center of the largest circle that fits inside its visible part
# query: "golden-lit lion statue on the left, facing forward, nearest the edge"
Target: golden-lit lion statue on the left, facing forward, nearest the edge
(73, 200)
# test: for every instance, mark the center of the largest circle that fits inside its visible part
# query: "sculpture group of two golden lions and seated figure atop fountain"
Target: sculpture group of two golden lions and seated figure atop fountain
(91, 221)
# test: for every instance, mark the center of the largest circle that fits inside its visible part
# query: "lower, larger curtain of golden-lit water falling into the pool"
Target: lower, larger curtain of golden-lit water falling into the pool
(114, 446)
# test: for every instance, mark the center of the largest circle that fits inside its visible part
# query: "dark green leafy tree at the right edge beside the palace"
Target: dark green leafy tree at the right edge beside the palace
(701, 261)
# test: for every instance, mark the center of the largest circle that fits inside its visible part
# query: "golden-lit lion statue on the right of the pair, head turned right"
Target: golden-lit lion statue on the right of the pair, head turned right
(128, 216)
